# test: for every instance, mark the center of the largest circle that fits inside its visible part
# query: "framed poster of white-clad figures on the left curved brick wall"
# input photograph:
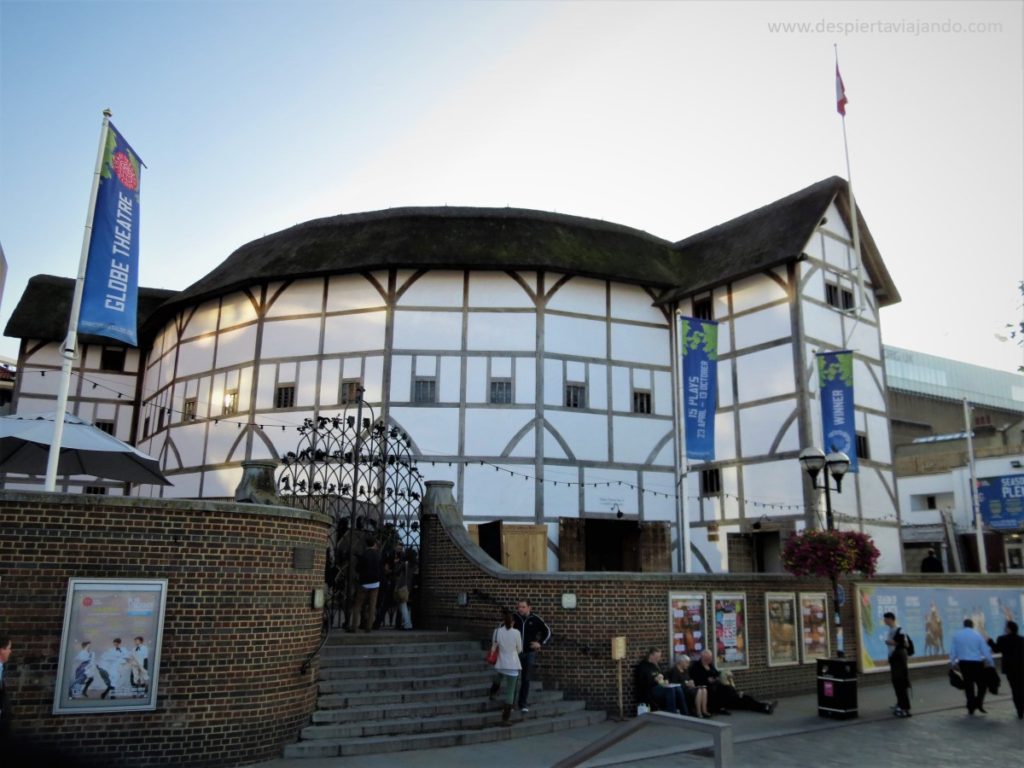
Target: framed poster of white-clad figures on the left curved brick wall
(110, 647)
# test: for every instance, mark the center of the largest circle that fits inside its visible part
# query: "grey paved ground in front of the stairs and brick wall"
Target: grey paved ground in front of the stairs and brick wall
(940, 735)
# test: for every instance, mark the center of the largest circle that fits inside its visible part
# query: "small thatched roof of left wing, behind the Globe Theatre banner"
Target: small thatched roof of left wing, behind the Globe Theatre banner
(45, 308)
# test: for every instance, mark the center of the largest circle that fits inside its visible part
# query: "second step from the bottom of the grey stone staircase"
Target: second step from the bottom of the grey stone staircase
(459, 720)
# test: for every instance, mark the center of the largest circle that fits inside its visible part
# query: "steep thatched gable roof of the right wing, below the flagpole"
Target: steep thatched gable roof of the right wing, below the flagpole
(771, 237)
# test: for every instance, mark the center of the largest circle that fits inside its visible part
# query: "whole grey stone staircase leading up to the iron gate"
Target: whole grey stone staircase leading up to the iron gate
(394, 692)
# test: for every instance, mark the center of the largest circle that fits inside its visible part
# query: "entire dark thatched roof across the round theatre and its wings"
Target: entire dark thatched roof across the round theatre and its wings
(503, 239)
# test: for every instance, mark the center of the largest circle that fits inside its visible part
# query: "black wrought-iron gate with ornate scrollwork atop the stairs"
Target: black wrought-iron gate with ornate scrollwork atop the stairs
(361, 473)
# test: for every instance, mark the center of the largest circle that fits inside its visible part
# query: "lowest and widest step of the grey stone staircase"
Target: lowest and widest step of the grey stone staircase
(490, 732)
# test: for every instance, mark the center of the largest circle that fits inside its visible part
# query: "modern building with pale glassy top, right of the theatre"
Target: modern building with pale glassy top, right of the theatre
(927, 396)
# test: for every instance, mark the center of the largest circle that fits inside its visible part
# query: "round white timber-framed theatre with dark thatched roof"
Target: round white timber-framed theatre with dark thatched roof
(533, 361)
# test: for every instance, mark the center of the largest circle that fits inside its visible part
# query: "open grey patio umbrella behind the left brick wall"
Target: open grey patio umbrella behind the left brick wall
(86, 450)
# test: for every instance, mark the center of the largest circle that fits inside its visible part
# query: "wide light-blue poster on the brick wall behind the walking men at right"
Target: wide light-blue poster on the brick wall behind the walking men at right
(930, 616)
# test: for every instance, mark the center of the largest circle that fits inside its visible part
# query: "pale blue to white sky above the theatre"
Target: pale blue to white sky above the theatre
(668, 117)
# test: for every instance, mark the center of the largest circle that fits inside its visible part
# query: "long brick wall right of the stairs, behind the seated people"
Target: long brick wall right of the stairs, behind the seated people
(578, 660)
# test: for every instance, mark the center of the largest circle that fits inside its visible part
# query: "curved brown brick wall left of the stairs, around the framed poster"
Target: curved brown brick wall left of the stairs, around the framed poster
(238, 626)
